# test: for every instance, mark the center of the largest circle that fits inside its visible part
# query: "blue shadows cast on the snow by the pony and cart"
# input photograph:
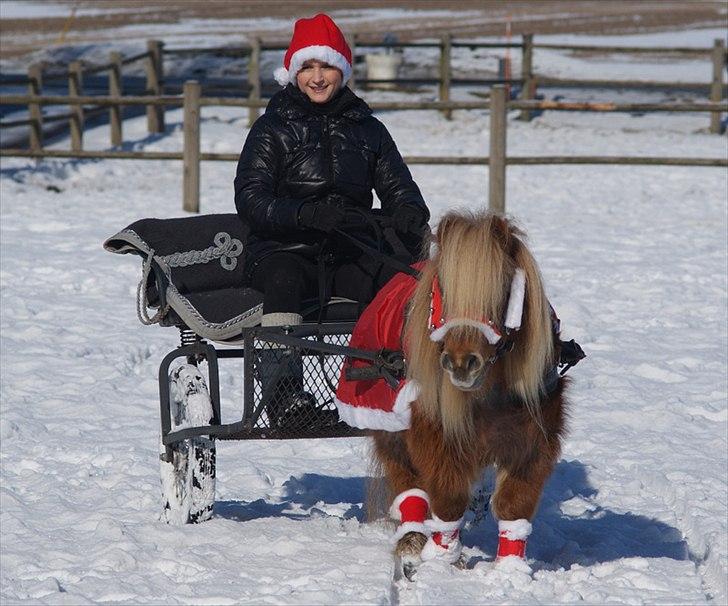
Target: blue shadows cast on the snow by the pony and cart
(559, 540)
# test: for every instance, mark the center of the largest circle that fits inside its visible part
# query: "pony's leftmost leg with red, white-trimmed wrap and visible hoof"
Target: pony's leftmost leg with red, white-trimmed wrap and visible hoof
(410, 505)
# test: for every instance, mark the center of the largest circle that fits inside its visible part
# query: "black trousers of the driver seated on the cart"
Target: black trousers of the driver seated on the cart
(287, 280)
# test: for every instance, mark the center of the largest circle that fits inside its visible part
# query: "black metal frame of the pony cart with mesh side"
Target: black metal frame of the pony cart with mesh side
(294, 336)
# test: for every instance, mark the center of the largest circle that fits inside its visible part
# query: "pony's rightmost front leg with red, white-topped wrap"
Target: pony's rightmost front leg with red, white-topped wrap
(514, 504)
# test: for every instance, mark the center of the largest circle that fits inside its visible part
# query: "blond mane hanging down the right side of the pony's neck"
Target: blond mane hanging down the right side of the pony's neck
(534, 352)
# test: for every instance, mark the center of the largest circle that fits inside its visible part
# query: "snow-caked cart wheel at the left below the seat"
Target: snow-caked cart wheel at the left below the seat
(188, 478)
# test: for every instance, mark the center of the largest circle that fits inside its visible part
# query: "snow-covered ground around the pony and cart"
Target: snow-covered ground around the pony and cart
(635, 263)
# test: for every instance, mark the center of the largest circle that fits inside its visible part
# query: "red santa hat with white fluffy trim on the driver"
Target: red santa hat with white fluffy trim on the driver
(315, 38)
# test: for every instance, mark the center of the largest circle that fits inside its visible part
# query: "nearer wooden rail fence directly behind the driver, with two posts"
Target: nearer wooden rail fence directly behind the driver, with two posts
(192, 102)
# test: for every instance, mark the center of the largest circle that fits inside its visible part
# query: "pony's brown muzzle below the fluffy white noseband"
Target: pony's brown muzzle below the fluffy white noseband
(465, 357)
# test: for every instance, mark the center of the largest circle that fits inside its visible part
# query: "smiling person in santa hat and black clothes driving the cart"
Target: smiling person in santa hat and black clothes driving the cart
(307, 165)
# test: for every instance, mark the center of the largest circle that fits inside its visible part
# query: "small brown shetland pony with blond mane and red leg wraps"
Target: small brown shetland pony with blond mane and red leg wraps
(482, 347)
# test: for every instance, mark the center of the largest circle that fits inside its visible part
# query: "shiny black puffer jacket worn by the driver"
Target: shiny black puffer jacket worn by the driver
(300, 151)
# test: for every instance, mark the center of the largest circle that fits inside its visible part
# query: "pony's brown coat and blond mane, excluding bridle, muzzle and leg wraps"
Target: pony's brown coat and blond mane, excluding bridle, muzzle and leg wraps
(507, 421)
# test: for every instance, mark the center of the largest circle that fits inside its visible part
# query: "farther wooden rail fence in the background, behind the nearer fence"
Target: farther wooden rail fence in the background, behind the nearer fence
(154, 67)
